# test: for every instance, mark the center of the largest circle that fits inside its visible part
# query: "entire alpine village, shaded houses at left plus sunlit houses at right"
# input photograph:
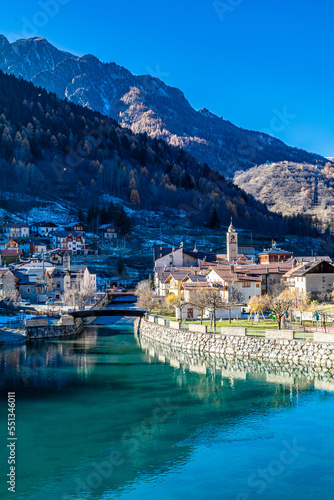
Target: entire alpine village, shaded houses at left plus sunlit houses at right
(39, 272)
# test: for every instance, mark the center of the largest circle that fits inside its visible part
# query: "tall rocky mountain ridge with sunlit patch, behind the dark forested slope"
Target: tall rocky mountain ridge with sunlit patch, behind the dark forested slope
(145, 104)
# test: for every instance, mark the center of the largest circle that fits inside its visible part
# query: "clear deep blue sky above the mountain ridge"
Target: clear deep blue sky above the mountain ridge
(262, 64)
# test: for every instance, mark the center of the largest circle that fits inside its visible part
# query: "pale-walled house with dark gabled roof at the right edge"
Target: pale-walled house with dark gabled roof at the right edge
(314, 278)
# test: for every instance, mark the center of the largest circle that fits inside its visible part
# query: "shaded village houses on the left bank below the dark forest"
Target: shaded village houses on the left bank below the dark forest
(36, 267)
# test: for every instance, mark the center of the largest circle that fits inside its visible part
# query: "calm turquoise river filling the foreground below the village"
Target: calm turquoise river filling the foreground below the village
(102, 417)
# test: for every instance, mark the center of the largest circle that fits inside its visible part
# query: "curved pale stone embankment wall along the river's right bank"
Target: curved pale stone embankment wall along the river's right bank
(282, 350)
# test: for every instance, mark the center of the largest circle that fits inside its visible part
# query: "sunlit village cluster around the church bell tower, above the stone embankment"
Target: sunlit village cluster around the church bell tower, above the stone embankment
(206, 284)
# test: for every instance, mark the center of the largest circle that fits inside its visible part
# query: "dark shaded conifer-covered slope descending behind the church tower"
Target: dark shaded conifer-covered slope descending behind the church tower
(51, 146)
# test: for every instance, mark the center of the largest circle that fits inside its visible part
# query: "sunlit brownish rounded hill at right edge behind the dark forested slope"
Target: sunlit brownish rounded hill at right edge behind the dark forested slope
(292, 188)
